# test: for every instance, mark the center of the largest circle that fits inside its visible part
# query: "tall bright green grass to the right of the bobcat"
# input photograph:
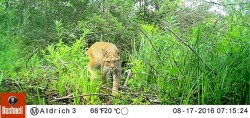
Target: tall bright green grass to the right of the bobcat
(178, 76)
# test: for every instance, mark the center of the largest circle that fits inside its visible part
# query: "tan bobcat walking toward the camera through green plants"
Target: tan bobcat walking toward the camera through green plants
(105, 55)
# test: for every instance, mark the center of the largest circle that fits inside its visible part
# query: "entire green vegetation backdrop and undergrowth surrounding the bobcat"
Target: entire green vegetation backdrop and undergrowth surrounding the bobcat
(177, 54)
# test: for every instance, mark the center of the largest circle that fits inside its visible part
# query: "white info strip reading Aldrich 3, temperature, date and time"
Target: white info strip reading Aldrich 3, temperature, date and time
(131, 111)
